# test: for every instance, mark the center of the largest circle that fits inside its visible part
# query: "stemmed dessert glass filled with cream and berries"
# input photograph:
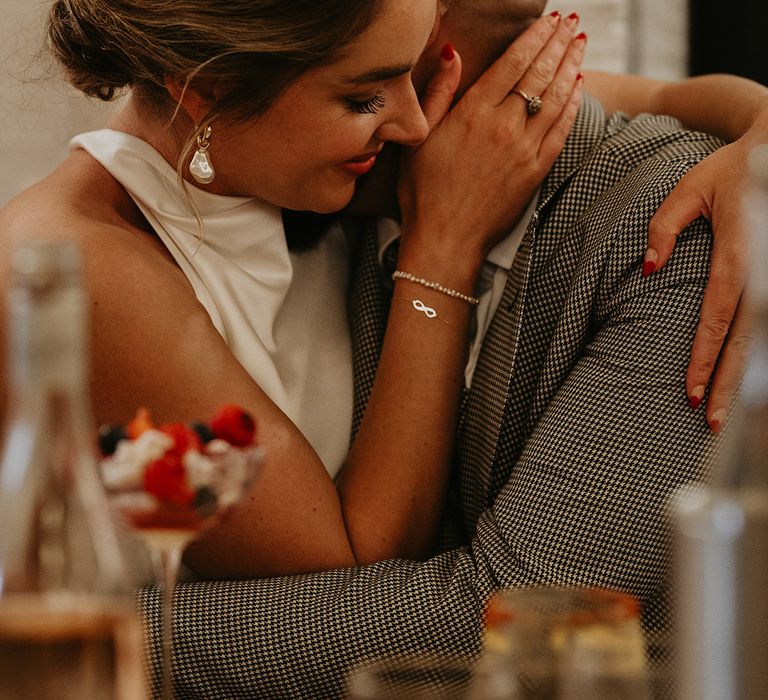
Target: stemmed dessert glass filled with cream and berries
(220, 475)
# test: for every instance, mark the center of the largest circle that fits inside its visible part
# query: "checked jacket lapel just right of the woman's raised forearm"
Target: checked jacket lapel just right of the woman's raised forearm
(507, 394)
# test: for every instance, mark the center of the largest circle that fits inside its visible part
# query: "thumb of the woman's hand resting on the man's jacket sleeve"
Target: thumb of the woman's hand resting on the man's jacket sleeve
(680, 208)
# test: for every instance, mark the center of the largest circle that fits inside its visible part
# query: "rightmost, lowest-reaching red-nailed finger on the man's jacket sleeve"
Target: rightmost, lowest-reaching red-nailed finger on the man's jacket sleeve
(730, 369)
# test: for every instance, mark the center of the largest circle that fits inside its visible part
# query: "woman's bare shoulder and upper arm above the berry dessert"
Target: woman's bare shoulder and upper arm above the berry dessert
(141, 302)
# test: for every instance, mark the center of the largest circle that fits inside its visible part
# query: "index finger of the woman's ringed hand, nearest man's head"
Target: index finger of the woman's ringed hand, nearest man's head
(497, 82)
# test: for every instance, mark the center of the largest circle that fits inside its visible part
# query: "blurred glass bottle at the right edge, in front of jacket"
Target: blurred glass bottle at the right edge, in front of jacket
(721, 530)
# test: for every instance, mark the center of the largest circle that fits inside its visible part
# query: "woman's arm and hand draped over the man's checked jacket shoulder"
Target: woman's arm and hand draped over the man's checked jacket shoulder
(736, 110)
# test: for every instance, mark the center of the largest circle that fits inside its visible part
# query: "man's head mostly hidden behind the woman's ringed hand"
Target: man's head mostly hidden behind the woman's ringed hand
(480, 30)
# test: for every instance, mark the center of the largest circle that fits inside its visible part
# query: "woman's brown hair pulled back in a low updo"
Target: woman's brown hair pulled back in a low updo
(256, 48)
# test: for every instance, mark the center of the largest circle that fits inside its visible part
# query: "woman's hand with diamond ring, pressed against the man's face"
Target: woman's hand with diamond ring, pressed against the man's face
(468, 183)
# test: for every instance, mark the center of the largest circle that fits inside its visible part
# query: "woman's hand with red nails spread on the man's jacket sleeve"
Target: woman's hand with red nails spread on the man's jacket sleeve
(713, 189)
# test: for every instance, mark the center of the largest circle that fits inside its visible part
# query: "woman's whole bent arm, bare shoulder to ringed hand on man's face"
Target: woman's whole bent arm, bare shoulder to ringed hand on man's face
(154, 345)
